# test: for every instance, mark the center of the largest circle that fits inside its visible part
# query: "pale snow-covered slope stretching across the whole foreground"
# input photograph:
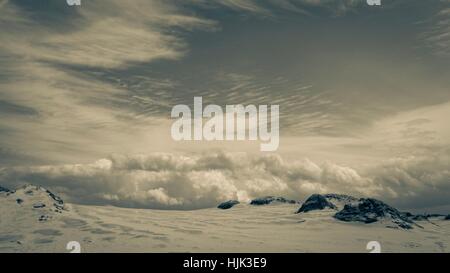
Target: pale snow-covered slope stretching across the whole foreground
(242, 228)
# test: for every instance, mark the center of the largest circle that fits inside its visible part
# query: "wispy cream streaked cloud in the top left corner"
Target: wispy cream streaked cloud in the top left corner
(99, 35)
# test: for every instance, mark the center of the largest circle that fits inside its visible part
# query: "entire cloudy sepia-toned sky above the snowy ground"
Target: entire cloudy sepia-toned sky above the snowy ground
(86, 94)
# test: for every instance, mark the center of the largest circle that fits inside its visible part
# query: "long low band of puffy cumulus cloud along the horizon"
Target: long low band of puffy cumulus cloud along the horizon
(193, 181)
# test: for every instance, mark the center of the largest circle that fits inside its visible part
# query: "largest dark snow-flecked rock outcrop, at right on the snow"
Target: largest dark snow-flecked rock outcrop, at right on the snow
(368, 210)
